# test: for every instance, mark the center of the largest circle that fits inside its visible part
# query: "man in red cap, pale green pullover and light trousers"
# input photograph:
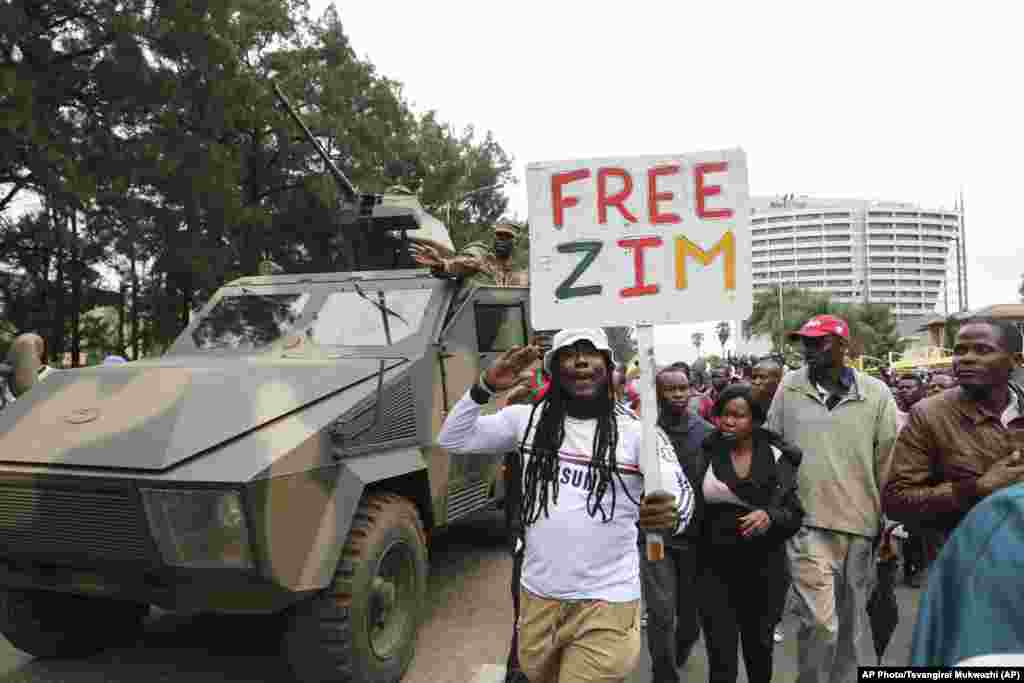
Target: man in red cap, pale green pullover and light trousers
(845, 422)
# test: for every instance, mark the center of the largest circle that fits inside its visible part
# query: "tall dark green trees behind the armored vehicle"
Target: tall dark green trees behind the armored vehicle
(153, 129)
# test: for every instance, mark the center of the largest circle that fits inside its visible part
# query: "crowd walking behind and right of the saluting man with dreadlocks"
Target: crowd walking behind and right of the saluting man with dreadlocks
(803, 481)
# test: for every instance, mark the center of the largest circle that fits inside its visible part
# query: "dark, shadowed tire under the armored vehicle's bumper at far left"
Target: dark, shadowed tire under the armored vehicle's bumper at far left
(50, 625)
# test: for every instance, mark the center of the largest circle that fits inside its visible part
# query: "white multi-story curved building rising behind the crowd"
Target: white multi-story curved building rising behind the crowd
(894, 253)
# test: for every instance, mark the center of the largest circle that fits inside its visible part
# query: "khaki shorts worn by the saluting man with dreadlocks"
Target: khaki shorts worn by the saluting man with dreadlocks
(577, 642)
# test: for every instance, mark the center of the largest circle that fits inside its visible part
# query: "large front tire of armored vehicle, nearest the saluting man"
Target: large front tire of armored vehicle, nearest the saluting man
(363, 628)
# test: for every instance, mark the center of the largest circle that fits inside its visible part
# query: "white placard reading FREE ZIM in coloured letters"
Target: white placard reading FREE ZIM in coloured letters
(654, 240)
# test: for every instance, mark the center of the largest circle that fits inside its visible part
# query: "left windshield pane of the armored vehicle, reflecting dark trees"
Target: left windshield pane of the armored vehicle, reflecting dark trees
(249, 323)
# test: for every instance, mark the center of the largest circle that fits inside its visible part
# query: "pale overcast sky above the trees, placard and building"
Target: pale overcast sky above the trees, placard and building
(893, 101)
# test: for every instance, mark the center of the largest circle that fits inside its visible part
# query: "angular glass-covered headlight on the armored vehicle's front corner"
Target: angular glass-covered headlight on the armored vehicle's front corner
(199, 529)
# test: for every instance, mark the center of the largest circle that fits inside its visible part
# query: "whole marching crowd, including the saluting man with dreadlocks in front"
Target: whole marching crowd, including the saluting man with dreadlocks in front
(784, 484)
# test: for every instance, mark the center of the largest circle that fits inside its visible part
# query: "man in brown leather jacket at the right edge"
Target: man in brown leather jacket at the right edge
(967, 443)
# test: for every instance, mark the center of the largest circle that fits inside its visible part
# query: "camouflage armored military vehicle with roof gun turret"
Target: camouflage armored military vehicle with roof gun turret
(281, 458)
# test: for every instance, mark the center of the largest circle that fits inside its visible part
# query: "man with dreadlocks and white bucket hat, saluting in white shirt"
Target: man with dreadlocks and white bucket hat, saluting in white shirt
(583, 485)
